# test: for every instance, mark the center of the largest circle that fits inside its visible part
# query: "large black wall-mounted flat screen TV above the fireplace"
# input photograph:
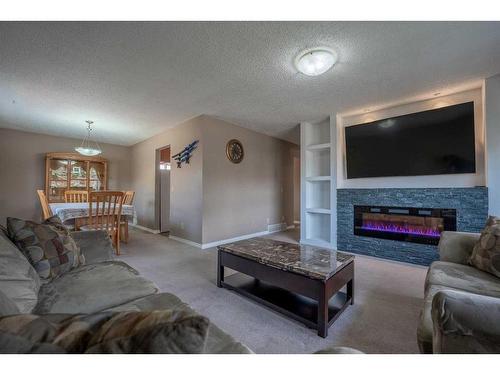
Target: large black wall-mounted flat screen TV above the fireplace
(438, 141)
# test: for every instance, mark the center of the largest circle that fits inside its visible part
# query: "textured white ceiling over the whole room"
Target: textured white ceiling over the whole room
(137, 79)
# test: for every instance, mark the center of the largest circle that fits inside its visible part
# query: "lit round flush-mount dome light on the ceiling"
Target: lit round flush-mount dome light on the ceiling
(315, 61)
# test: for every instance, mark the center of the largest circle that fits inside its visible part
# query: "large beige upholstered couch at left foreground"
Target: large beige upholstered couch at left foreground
(102, 284)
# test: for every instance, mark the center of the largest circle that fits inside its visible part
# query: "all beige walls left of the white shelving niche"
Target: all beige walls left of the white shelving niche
(211, 198)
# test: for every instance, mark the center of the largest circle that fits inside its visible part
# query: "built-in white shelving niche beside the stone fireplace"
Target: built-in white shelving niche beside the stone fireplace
(318, 193)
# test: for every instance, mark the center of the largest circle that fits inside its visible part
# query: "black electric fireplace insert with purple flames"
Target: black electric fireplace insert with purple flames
(412, 224)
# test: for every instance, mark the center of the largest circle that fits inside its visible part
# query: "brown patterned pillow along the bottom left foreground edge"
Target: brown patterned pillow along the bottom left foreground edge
(165, 331)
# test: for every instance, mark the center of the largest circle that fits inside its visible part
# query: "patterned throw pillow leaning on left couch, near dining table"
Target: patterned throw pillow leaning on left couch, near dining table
(48, 246)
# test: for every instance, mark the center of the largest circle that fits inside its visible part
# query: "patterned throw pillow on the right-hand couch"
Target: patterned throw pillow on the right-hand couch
(486, 253)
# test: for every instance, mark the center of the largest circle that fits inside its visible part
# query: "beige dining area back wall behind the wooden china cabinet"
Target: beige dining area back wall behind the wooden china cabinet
(22, 169)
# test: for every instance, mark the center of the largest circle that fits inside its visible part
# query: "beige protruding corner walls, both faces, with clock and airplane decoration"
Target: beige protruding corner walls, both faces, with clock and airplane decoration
(212, 199)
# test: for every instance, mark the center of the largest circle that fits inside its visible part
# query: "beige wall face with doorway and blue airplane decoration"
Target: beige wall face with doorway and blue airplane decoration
(185, 183)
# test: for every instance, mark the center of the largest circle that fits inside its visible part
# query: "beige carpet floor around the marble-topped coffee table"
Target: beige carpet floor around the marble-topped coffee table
(388, 298)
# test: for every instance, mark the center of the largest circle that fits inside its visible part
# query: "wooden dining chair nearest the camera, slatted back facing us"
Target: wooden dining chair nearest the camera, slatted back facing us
(105, 209)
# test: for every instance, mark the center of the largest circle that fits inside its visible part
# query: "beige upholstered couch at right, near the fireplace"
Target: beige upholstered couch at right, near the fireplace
(461, 312)
